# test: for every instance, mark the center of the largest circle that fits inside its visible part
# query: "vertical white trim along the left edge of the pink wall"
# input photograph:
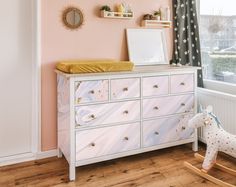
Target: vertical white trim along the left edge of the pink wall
(36, 83)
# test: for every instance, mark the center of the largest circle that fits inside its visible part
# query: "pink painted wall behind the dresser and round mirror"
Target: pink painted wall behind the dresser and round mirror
(98, 38)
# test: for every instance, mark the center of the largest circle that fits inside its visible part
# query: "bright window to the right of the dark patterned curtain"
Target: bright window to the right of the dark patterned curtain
(218, 39)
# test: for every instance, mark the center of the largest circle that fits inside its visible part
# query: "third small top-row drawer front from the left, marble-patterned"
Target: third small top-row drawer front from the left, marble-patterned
(154, 86)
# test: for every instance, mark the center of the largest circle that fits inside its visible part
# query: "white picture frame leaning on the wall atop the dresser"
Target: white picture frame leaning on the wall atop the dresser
(147, 46)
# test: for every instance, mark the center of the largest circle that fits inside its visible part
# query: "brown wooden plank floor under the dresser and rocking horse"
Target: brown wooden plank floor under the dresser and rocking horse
(162, 168)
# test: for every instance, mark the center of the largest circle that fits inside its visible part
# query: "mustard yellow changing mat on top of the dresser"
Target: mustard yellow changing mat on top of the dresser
(92, 66)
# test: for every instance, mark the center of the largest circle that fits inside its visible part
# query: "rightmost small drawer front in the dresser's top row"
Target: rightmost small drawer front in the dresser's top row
(182, 83)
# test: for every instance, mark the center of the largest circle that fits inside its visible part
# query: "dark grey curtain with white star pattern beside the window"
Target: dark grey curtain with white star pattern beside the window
(186, 35)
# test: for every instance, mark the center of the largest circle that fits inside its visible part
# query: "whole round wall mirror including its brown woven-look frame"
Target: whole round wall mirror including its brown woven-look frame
(72, 18)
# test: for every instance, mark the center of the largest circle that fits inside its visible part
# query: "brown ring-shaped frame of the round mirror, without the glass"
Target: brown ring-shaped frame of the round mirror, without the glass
(65, 21)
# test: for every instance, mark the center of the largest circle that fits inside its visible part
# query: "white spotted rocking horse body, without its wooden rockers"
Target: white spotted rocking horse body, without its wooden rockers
(217, 138)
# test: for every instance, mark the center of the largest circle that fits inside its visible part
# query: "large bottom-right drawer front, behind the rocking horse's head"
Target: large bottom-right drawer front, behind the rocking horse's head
(166, 130)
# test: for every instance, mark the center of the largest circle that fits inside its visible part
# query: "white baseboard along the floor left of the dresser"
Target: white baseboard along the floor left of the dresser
(15, 159)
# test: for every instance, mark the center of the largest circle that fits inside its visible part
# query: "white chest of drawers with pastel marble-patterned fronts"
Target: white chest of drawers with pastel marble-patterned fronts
(111, 115)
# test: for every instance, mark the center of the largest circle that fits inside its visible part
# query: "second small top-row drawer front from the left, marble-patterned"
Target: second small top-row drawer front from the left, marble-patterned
(125, 88)
